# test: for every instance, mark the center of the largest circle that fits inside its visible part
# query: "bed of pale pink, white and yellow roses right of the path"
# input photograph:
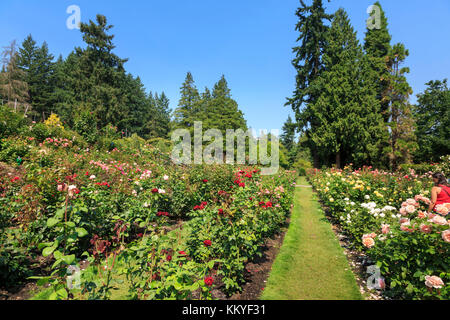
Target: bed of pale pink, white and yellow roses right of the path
(385, 215)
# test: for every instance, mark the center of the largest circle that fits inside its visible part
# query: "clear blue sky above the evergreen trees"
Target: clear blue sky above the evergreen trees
(248, 41)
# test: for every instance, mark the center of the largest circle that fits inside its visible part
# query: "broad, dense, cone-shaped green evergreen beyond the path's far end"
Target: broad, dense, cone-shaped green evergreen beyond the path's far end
(349, 126)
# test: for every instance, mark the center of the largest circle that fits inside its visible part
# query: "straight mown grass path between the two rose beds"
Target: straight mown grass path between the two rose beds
(311, 264)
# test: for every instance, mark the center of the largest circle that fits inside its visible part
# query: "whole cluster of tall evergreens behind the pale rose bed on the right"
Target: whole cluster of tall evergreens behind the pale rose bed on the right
(352, 101)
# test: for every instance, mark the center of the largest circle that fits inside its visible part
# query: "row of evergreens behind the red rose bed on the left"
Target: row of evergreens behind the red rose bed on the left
(91, 89)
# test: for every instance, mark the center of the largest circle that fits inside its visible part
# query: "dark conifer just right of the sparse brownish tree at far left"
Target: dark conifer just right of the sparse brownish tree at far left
(38, 65)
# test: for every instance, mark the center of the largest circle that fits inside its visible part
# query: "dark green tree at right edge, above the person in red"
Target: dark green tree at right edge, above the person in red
(432, 114)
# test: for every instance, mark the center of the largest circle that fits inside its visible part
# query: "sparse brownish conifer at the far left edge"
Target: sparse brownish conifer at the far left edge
(12, 79)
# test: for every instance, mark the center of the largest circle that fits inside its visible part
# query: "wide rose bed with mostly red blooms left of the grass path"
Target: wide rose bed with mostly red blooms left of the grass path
(171, 232)
